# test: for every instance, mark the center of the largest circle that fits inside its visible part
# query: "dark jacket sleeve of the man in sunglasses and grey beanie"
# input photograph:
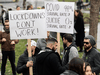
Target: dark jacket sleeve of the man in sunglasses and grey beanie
(96, 69)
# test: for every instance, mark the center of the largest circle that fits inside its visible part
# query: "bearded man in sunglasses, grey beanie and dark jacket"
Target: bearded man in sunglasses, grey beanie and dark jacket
(91, 54)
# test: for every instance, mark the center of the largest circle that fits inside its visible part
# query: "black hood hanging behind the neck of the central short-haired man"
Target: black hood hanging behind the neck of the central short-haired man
(40, 58)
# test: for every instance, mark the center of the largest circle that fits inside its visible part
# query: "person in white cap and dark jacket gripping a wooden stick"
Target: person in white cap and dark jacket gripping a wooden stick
(25, 62)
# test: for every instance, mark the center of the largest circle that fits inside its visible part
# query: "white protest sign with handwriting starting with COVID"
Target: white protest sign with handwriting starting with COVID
(60, 16)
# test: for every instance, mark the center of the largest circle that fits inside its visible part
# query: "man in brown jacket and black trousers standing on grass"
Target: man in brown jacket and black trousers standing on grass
(7, 47)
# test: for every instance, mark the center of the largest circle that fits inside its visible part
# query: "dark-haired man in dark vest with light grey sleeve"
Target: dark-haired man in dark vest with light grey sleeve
(70, 51)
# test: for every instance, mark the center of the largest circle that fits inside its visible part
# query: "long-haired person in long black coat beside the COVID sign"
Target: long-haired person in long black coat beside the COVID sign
(79, 27)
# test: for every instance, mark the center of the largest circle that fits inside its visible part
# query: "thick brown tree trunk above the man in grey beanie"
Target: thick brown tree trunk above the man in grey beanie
(94, 14)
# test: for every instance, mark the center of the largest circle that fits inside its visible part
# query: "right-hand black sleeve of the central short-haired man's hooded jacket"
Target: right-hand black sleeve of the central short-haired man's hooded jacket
(56, 65)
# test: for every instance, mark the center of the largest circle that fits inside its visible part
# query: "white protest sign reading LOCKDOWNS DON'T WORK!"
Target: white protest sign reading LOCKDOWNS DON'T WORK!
(27, 24)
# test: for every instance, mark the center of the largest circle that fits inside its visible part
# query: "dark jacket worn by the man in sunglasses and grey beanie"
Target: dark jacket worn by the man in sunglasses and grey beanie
(93, 57)
